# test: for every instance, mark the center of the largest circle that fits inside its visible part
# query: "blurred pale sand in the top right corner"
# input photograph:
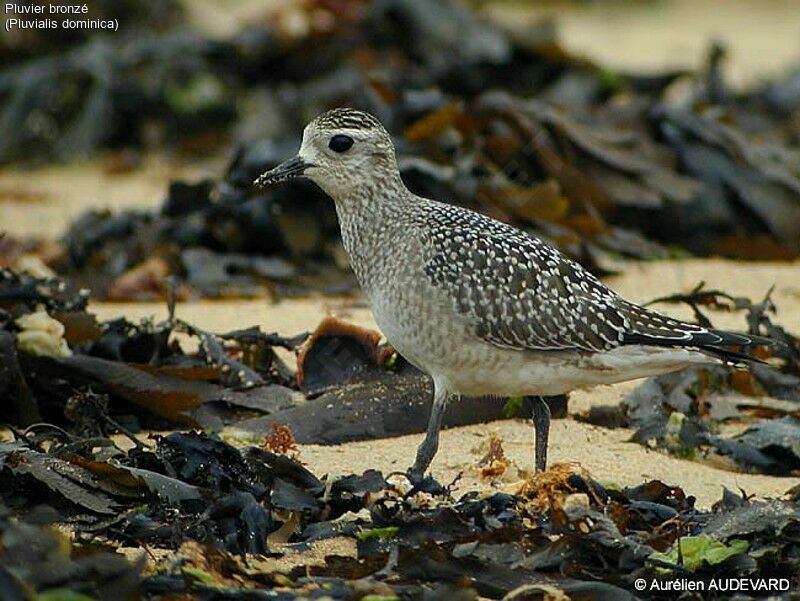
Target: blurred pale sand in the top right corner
(762, 36)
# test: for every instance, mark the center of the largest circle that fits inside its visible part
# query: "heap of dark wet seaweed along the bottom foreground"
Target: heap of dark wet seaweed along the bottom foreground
(252, 523)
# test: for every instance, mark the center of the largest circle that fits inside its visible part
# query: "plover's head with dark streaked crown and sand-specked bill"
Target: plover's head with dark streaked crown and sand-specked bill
(343, 150)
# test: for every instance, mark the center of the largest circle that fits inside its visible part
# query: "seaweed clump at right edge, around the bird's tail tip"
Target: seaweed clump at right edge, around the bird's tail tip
(683, 412)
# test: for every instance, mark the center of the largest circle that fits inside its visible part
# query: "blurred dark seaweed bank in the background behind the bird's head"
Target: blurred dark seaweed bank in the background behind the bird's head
(506, 123)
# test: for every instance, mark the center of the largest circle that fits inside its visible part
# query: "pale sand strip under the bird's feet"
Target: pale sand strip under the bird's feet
(606, 454)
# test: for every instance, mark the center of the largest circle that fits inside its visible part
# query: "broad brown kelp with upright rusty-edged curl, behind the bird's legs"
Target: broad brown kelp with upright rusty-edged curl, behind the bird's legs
(360, 389)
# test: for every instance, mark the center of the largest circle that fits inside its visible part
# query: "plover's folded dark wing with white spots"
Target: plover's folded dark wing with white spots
(522, 293)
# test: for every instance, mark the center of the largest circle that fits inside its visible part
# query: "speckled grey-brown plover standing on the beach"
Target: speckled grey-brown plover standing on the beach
(482, 307)
